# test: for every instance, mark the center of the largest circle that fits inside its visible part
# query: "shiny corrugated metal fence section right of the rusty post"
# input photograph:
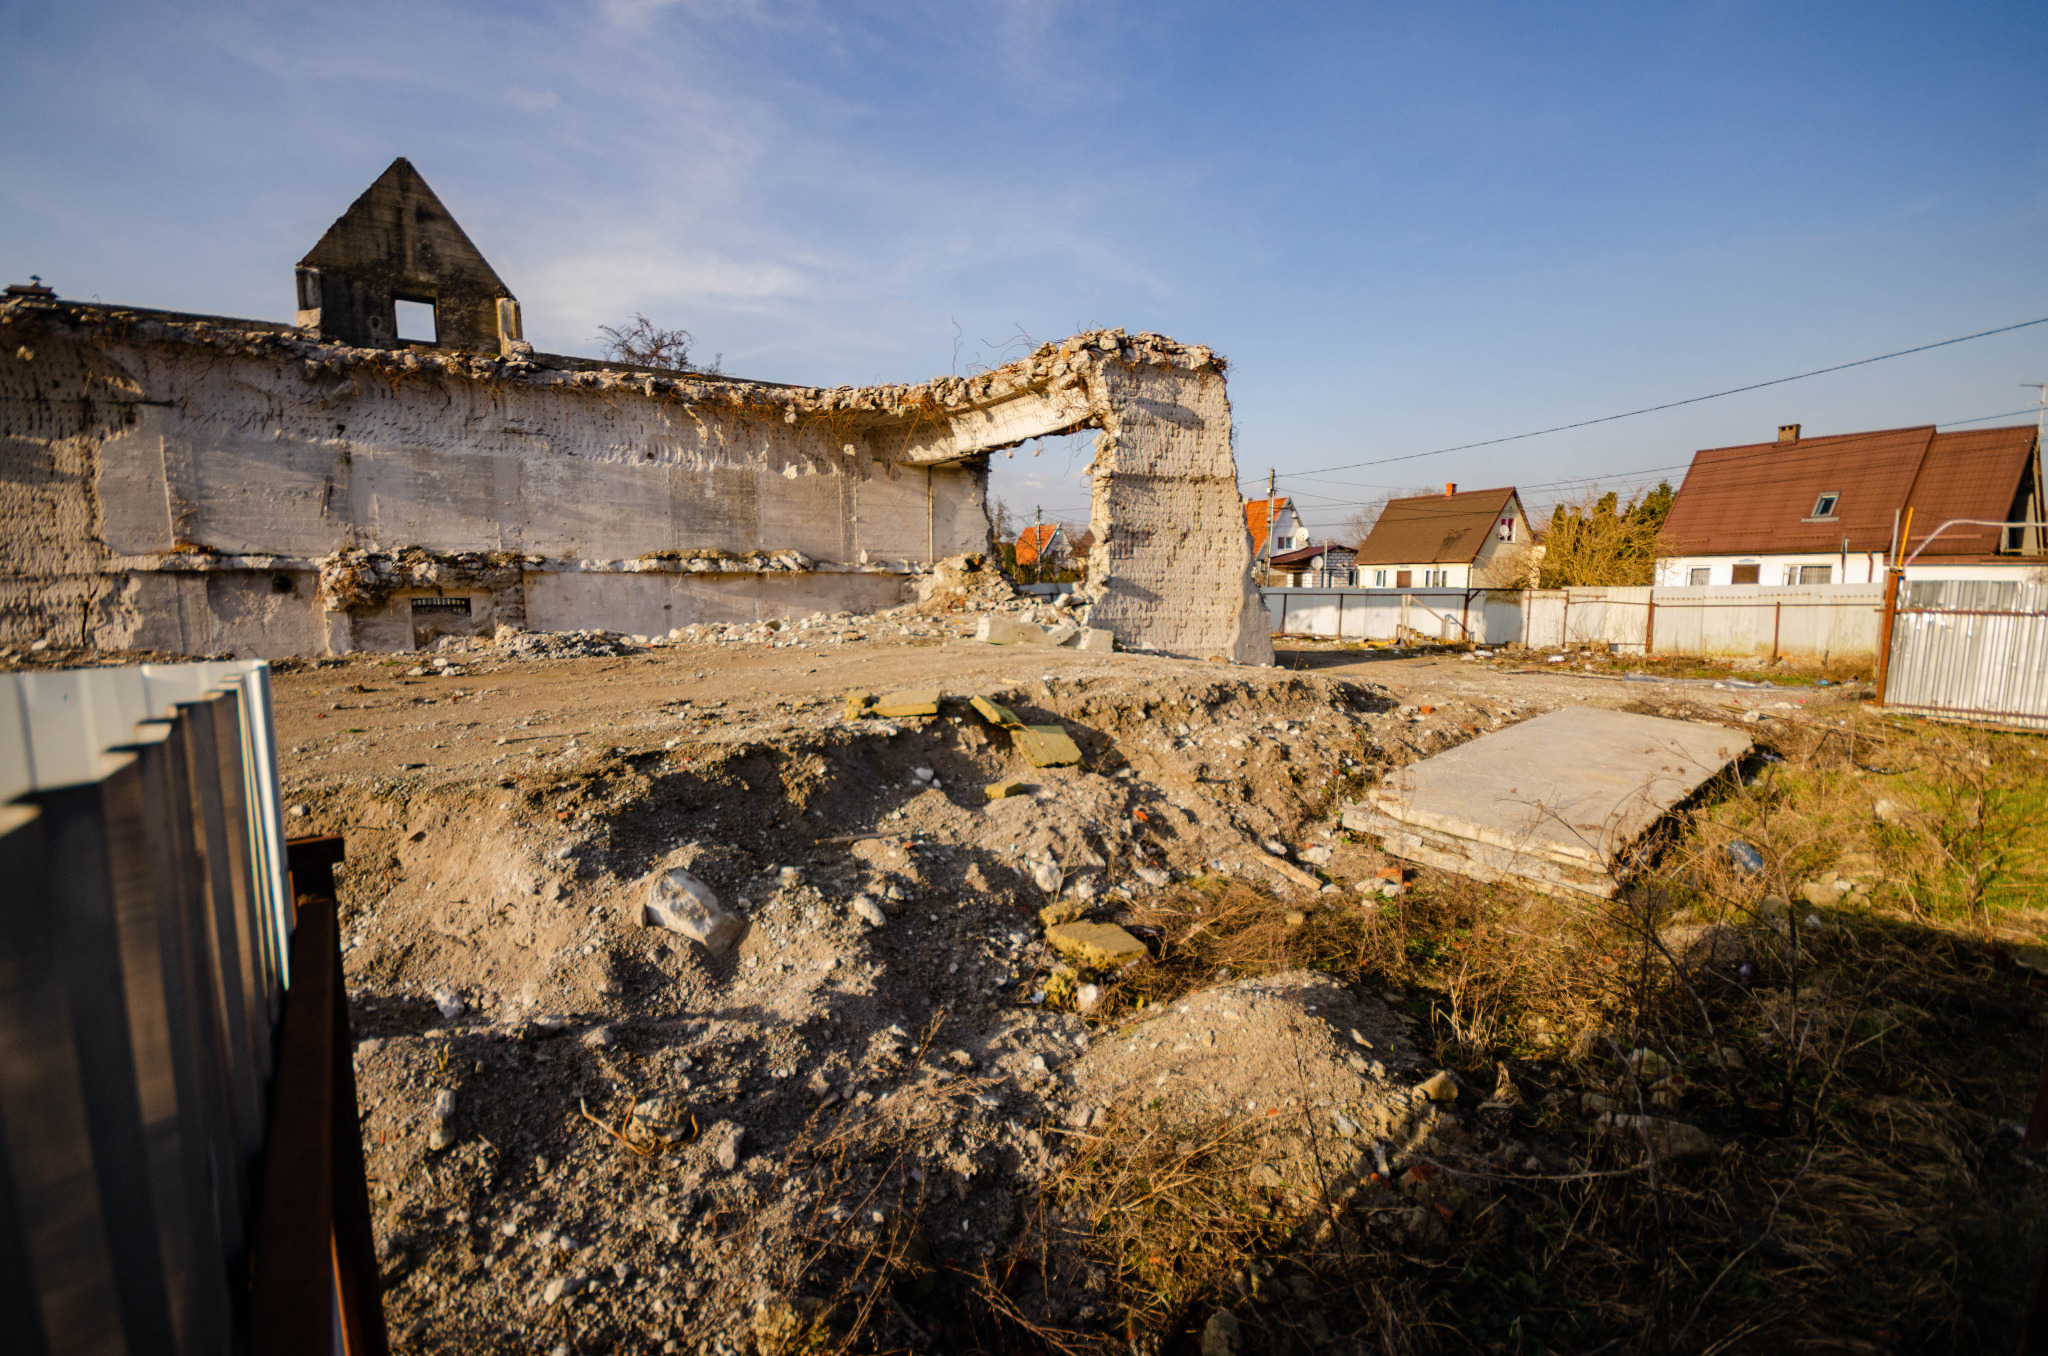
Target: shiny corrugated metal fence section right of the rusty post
(1969, 650)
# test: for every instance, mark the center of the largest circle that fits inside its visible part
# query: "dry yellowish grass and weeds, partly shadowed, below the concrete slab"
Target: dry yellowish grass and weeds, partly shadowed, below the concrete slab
(1861, 1064)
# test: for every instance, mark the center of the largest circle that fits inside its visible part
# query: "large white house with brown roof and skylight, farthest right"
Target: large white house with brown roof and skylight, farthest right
(1830, 509)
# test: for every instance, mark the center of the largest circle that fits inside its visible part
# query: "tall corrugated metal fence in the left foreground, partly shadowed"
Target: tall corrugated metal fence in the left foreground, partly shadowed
(146, 939)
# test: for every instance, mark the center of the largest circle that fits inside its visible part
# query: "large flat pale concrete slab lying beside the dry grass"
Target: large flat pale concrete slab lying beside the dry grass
(1555, 804)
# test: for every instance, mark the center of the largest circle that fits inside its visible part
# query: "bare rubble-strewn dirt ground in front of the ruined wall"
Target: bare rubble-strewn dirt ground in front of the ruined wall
(591, 1134)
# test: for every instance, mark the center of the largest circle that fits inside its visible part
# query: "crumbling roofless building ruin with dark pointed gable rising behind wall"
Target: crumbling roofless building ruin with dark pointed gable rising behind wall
(232, 486)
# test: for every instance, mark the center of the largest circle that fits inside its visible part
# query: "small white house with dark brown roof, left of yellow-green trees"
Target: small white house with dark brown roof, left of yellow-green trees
(1453, 540)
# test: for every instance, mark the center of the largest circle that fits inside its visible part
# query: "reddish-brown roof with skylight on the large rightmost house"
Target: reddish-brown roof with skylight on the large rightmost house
(1758, 499)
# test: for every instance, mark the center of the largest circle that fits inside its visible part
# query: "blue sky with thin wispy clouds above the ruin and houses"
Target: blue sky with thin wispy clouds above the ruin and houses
(1408, 226)
